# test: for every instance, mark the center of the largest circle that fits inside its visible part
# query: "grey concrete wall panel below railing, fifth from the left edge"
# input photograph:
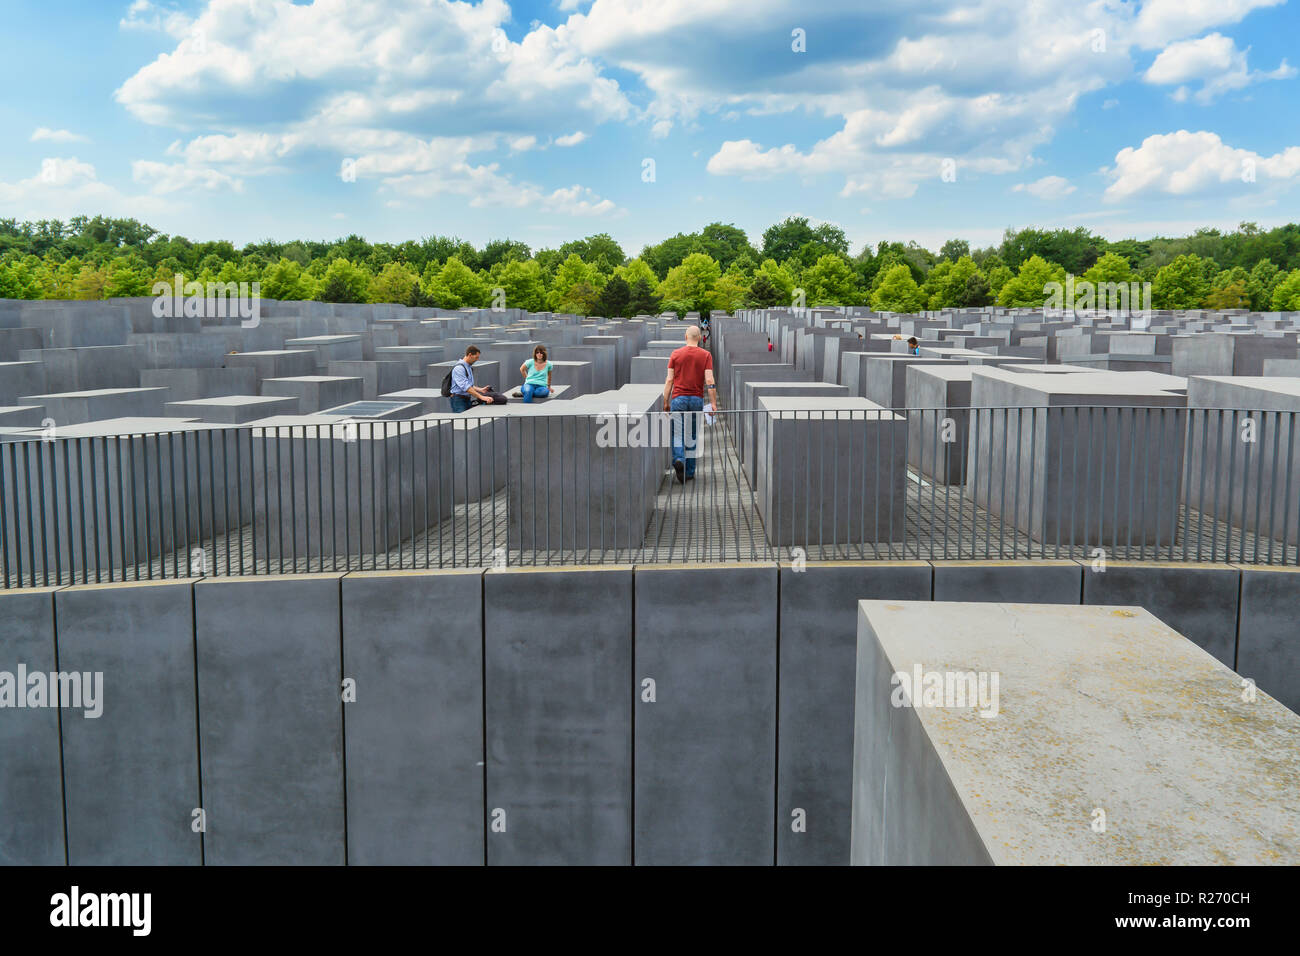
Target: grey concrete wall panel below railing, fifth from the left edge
(558, 665)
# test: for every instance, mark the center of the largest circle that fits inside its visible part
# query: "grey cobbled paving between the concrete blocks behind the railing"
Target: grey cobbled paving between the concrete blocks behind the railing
(713, 518)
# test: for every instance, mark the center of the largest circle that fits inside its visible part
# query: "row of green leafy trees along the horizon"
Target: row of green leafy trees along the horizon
(717, 269)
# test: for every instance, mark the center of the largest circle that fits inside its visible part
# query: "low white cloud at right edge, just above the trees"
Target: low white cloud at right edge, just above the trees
(1188, 165)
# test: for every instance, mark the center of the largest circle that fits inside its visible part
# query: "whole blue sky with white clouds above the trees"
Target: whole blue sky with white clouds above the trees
(899, 119)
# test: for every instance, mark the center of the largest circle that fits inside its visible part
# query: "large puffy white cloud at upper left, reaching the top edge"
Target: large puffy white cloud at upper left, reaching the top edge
(276, 80)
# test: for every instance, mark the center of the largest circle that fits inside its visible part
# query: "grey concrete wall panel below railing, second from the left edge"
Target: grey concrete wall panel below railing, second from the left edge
(133, 773)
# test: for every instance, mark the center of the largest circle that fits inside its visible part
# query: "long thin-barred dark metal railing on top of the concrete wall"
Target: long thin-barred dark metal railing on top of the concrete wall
(552, 488)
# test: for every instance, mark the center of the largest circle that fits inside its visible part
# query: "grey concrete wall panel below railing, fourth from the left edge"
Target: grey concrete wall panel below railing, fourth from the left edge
(413, 642)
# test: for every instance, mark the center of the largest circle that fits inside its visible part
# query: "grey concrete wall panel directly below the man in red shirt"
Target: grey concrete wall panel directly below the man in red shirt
(707, 747)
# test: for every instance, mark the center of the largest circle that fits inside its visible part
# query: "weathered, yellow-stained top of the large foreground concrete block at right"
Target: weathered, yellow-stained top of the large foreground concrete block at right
(1102, 708)
